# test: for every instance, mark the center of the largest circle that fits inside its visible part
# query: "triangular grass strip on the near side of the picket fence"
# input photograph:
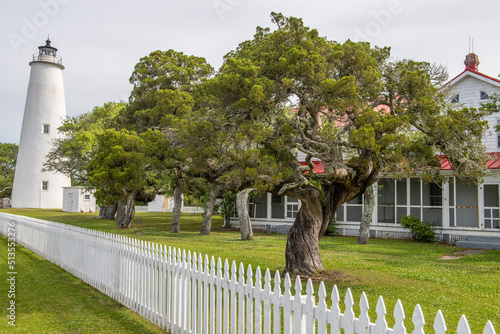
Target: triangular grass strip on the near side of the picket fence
(50, 300)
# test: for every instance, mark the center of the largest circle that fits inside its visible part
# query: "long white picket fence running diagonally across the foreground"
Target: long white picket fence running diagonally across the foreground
(184, 293)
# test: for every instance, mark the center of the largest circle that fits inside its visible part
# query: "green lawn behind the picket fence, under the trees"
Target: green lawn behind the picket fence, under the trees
(395, 269)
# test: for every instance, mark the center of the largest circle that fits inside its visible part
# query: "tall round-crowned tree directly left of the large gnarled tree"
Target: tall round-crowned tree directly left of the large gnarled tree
(165, 84)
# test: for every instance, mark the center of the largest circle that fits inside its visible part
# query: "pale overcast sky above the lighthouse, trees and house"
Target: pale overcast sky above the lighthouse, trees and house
(101, 41)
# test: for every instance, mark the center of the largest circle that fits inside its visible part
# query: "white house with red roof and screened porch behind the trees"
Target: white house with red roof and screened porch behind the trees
(459, 210)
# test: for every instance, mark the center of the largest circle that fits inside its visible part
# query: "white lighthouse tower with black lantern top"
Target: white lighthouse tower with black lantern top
(43, 114)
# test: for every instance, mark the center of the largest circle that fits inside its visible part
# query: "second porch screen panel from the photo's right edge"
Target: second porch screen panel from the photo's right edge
(467, 205)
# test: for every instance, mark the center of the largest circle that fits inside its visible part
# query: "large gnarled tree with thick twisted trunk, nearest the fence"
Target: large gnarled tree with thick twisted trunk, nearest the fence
(331, 102)
